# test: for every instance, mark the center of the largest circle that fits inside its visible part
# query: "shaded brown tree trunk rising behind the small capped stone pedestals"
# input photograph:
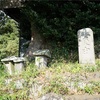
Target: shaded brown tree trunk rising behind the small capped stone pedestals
(36, 42)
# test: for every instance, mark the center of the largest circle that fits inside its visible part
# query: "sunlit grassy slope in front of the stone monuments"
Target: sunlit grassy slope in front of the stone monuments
(55, 79)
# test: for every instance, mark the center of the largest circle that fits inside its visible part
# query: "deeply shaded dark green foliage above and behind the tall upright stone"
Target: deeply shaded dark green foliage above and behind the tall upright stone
(59, 21)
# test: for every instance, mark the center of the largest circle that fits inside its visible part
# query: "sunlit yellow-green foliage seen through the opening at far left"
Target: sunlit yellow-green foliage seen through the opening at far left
(8, 36)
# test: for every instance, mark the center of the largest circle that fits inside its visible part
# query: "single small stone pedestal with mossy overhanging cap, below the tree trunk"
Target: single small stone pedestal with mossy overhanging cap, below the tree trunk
(41, 58)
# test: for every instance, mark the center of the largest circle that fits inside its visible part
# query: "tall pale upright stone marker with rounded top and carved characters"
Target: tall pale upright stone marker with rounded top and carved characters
(86, 46)
